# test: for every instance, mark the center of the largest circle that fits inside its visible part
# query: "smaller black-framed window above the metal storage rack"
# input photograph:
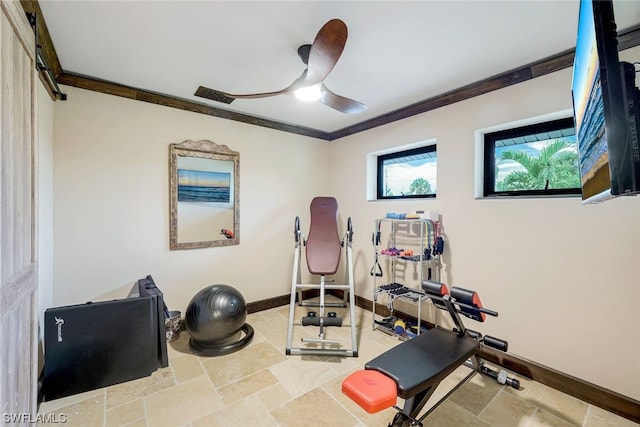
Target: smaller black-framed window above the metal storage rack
(407, 174)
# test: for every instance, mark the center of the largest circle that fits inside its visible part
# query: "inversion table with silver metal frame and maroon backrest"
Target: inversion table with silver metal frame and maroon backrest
(323, 319)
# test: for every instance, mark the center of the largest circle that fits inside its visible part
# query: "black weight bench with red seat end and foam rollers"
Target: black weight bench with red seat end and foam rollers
(413, 369)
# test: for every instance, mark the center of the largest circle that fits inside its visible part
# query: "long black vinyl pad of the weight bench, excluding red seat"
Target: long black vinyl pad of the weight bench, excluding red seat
(425, 360)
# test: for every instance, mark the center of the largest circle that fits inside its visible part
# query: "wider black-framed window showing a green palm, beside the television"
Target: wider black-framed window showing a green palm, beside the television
(534, 160)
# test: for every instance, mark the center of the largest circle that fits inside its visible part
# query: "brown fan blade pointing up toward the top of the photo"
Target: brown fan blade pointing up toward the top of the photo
(325, 51)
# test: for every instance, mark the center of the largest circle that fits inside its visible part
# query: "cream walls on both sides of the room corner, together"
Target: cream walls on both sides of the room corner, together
(564, 277)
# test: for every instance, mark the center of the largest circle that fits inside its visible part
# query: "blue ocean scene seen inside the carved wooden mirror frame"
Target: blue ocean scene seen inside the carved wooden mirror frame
(203, 186)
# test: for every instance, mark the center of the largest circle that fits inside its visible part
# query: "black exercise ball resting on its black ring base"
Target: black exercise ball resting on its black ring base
(215, 319)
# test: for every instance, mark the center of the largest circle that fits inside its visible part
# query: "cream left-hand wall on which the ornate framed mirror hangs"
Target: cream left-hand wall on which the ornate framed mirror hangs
(112, 206)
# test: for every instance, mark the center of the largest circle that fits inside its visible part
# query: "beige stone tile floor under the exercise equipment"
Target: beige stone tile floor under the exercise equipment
(260, 386)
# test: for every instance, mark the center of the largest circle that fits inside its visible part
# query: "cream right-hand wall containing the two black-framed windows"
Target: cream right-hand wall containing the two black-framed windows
(564, 277)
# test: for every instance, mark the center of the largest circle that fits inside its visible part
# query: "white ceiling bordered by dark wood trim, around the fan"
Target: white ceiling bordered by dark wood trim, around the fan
(397, 53)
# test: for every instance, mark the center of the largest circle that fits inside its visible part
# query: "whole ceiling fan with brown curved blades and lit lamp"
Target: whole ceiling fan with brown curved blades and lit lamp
(320, 58)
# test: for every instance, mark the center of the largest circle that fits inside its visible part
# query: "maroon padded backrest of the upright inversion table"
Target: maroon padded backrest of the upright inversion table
(323, 244)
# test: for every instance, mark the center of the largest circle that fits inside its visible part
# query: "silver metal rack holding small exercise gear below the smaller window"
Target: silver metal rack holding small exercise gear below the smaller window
(416, 234)
